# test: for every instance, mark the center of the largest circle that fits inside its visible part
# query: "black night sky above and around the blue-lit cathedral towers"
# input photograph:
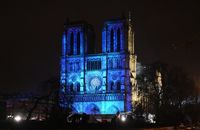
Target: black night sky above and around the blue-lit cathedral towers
(30, 35)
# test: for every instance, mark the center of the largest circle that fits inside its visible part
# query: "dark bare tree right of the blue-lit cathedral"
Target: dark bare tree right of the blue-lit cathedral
(165, 101)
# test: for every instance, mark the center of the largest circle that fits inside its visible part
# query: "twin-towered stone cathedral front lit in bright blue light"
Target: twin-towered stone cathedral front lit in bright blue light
(98, 83)
